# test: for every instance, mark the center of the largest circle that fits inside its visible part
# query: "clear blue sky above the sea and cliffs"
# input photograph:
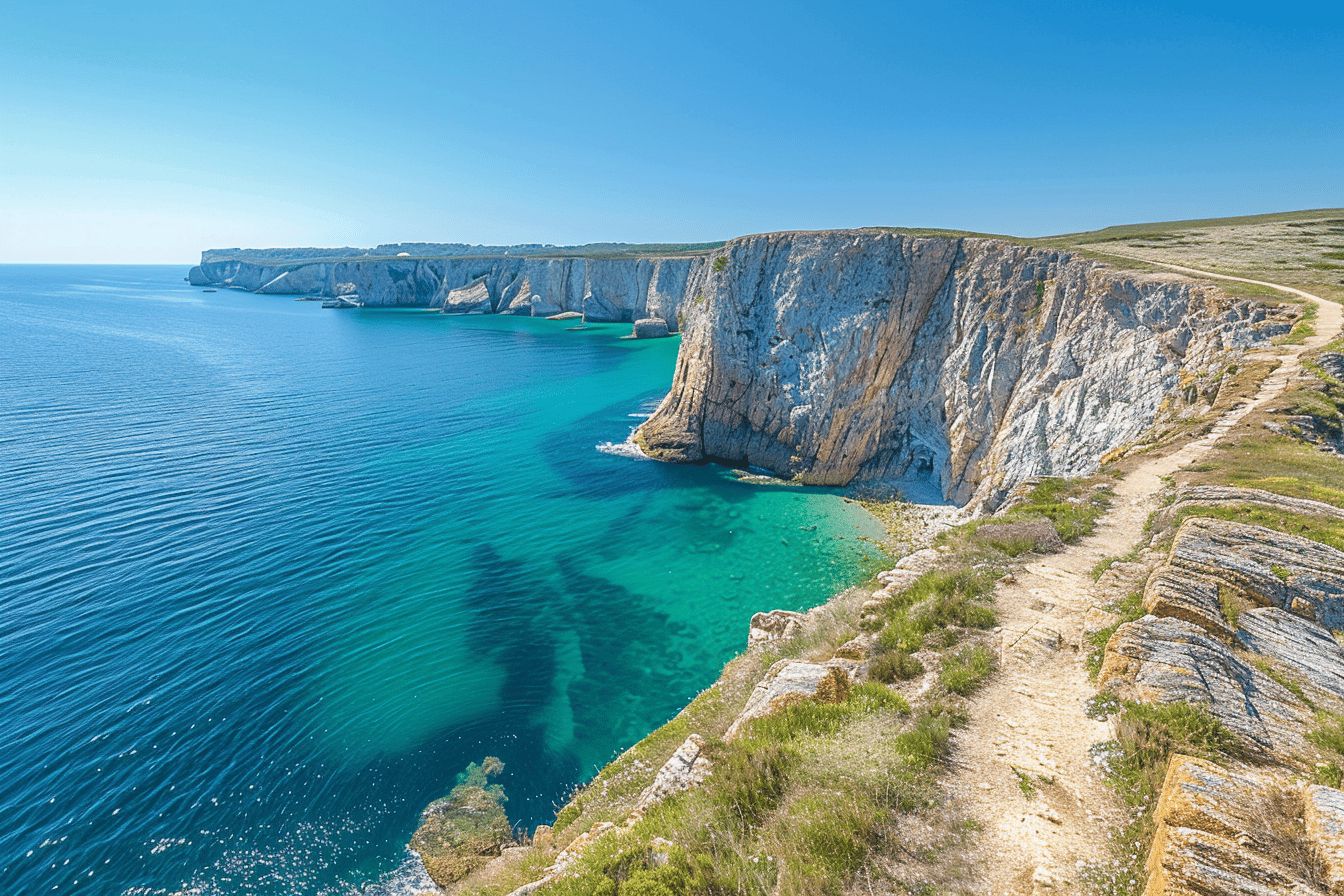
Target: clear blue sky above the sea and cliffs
(150, 131)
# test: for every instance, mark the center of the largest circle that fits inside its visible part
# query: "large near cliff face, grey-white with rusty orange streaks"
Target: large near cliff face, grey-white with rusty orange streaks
(970, 365)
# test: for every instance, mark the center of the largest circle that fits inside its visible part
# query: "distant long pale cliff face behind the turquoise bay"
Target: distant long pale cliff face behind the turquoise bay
(604, 289)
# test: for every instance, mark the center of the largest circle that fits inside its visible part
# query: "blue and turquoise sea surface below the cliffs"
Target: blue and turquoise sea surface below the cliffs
(272, 576)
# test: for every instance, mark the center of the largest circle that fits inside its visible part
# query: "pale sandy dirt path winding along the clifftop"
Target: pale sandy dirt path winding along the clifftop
(1030, 721)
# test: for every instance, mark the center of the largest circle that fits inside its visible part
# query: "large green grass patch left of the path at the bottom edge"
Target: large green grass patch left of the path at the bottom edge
(787, 809)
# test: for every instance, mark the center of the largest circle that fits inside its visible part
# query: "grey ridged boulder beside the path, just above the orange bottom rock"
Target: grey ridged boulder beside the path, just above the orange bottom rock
(1166, 660)
